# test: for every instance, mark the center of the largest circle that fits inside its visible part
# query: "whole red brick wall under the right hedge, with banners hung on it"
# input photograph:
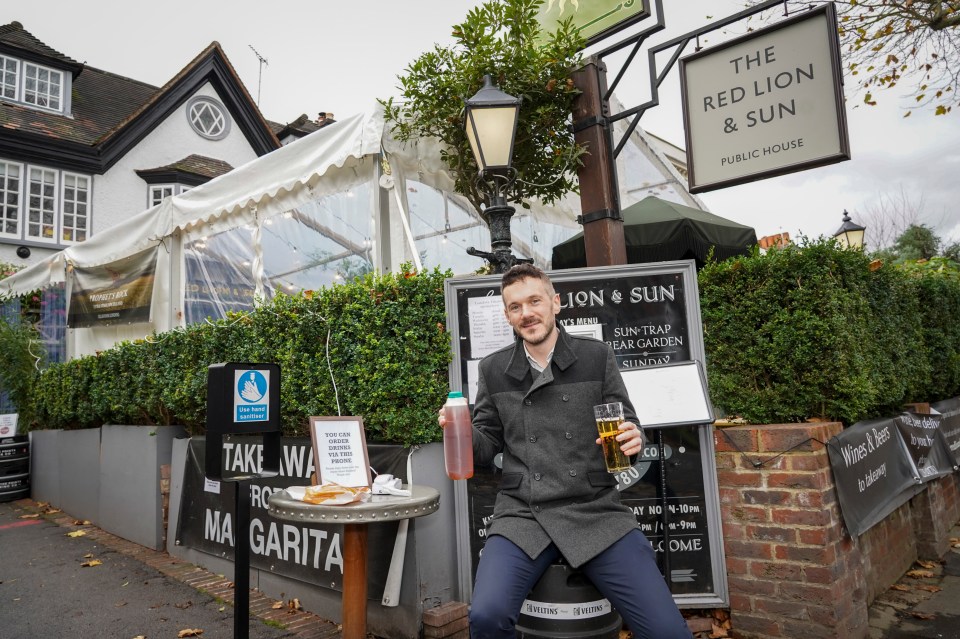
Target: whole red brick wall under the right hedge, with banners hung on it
(793, 570)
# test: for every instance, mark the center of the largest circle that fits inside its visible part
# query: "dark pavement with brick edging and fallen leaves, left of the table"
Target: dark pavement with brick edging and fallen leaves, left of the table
(47, 591)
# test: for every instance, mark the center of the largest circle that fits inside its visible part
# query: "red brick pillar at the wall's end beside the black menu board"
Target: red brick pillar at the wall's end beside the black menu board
(792, 571)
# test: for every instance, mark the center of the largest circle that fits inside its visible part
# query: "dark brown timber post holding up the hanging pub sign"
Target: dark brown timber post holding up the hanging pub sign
(599, 198)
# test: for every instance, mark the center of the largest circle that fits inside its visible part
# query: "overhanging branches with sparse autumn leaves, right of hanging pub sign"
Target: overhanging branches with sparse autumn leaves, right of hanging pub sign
(886, 42)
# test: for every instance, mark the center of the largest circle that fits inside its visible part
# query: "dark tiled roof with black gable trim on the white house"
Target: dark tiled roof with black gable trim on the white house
(111, 113)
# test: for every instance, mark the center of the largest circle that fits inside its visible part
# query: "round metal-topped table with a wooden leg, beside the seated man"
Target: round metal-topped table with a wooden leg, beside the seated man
(423, 500)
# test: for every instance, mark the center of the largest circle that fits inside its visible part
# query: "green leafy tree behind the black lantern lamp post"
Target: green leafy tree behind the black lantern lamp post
(501, 38)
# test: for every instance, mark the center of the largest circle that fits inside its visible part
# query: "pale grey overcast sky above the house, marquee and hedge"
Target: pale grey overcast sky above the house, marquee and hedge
(338, 57)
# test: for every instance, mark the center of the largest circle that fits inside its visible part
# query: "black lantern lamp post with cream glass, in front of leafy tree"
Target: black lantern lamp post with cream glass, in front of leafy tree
(491, 126)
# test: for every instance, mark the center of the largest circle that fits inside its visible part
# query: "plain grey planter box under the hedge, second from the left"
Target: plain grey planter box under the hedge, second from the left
(131, 505)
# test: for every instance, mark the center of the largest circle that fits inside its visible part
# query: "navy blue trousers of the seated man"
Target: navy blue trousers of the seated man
(626, 573)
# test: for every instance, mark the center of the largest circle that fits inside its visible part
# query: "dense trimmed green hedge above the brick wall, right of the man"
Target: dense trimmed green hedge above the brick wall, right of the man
(815, 331)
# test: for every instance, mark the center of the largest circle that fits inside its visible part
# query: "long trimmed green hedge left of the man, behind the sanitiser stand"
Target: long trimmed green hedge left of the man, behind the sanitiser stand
(388, 349)
